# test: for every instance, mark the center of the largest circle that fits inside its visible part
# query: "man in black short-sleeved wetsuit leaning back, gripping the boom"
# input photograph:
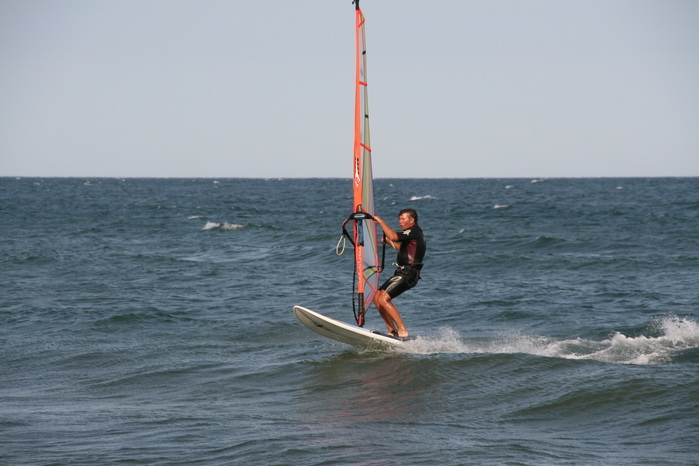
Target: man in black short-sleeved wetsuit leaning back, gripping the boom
(411, 246)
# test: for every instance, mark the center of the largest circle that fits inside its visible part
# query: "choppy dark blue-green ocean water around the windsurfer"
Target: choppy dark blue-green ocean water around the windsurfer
(149, 322)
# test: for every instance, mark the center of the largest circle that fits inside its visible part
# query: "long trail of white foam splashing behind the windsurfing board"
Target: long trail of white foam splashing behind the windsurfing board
(677, 335)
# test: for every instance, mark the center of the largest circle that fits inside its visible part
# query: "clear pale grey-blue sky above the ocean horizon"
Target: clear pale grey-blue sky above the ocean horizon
(264, 88)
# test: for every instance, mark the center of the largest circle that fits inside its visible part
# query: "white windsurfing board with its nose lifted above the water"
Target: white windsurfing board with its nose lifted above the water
(342, 332)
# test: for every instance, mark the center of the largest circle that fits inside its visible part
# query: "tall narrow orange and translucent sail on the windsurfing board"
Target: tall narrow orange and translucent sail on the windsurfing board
(365, 234)
